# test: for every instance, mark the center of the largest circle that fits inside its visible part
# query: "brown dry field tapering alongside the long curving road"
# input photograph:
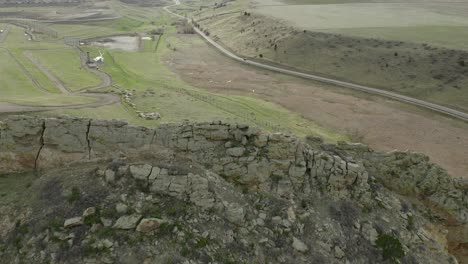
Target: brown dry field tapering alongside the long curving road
(382, 124)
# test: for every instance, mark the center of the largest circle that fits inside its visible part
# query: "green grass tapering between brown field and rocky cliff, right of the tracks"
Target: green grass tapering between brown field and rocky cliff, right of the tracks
(156, 89)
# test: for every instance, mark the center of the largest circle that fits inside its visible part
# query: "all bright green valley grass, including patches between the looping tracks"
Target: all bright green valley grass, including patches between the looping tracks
(155, 88)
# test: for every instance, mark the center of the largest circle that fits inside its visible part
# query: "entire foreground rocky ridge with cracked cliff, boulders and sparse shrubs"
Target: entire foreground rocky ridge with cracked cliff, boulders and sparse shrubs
(269, 197)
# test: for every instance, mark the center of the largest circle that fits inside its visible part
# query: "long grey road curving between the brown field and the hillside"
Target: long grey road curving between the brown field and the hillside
(438, 108)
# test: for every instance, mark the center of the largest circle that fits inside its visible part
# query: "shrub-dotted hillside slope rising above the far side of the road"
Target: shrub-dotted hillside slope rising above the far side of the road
(435, 74)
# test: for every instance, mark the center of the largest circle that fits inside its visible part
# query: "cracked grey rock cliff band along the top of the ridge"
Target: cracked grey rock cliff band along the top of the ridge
(275, 163)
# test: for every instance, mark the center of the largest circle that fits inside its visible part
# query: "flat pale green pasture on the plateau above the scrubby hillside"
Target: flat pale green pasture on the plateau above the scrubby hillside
(437, 23)
